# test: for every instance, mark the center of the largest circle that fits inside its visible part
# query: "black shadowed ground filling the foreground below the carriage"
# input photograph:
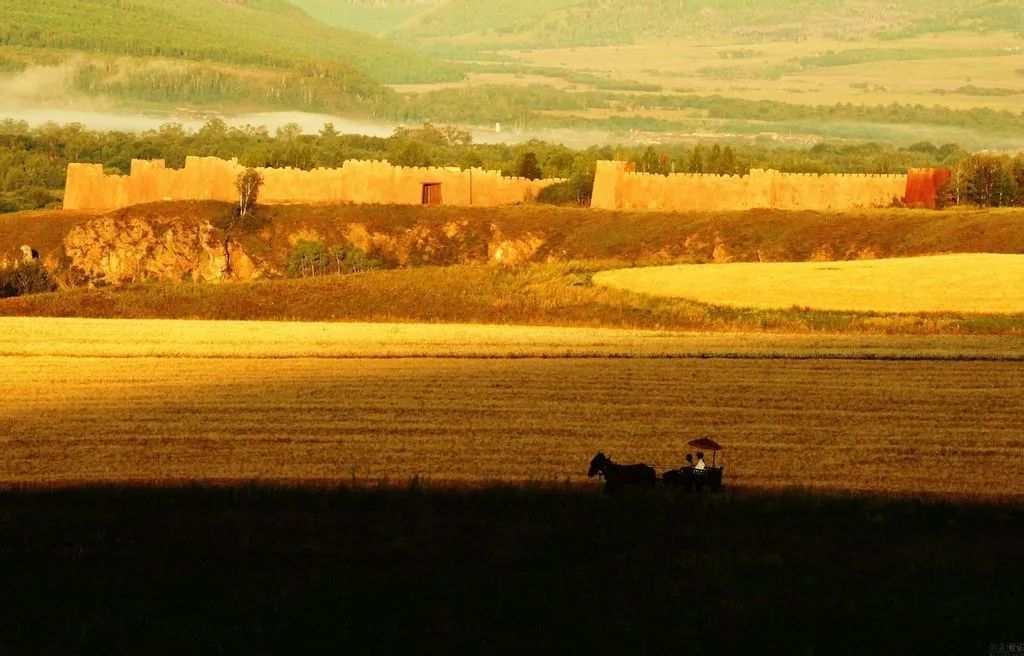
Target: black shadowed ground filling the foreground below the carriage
(502, 570)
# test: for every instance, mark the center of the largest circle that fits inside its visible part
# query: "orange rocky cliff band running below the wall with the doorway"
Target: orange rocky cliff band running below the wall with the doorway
(115, 249)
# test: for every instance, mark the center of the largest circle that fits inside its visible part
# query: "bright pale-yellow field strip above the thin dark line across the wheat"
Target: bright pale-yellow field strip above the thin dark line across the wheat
(196, 339)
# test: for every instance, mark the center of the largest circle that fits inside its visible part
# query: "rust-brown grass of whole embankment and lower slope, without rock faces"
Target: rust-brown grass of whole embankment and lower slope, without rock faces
(560, 292)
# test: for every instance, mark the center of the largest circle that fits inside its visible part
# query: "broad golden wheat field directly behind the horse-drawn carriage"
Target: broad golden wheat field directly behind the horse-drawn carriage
(81, 404)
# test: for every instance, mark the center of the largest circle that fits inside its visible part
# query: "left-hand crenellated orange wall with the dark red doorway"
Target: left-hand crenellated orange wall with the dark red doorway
(357, 182)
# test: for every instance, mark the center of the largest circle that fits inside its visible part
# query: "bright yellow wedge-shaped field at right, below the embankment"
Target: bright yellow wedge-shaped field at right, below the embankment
(973, 283)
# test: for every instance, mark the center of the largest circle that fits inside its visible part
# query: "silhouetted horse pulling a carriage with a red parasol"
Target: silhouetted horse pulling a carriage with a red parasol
(686, 478)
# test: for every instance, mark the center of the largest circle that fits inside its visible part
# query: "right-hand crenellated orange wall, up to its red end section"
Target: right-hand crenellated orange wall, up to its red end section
(616, 188)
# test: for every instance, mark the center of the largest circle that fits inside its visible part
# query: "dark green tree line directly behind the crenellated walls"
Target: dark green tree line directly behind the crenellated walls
(34, 160)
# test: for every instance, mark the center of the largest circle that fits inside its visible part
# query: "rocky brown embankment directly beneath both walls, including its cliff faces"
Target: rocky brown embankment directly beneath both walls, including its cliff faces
(185, 242)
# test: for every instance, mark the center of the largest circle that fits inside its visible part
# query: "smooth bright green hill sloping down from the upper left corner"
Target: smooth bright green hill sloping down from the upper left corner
(268, 34)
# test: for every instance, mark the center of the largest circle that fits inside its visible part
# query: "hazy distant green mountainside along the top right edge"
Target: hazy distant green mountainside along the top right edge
(581, 23)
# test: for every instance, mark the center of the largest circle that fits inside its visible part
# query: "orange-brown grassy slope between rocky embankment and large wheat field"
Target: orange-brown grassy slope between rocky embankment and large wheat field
(552, 294)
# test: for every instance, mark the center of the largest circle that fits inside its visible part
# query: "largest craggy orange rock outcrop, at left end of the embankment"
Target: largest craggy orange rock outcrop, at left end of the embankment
(114, 250)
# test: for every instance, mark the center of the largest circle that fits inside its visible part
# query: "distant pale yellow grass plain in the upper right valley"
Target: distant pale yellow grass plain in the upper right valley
(676, 65)
